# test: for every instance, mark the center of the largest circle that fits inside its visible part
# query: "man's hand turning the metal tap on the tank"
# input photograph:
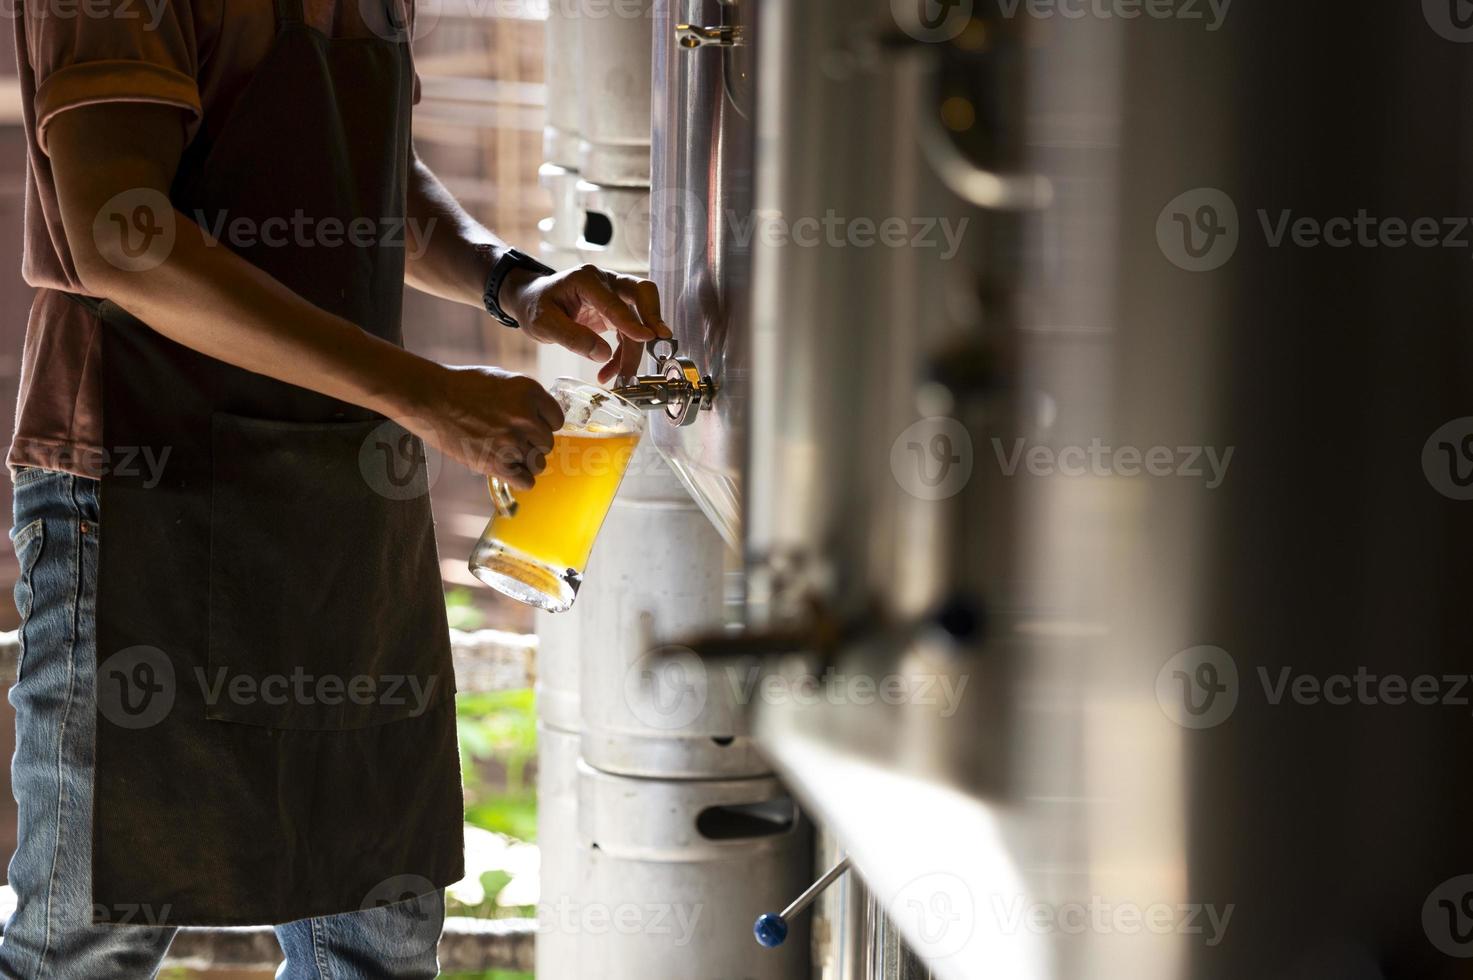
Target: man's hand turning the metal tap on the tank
(572, 309)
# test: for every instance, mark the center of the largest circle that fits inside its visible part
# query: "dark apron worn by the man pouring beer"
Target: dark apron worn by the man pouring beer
(276, 730)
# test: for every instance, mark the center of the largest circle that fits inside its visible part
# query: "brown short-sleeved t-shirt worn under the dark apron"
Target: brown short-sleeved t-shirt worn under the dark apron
(195, 55)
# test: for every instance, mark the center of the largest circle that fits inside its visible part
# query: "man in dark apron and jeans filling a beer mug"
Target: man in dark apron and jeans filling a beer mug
(235, 701)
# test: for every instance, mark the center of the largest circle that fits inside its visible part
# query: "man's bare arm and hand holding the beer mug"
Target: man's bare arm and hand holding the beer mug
(210, 300)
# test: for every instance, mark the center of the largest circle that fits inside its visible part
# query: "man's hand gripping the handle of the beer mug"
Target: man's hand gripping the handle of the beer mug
(494, 422)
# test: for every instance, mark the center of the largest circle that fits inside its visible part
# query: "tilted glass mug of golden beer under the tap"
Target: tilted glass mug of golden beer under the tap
(537, 546)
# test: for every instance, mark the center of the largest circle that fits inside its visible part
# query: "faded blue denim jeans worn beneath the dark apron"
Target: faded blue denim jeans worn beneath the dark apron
(51, 937)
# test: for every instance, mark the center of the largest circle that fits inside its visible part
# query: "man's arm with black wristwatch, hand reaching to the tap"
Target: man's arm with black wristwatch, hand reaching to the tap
(571, 309)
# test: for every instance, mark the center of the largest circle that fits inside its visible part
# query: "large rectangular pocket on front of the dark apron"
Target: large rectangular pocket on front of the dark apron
(326, 609)
